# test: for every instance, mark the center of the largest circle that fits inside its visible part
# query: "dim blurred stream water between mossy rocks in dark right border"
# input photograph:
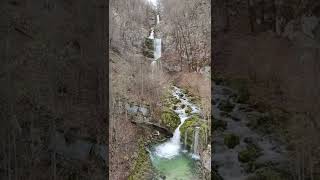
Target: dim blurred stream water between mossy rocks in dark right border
(226, 160)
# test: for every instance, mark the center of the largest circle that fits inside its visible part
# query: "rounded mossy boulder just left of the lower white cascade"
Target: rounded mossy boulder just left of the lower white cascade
(170, 119)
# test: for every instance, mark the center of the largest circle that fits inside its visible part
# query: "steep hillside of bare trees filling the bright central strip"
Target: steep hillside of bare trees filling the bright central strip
(145, 109)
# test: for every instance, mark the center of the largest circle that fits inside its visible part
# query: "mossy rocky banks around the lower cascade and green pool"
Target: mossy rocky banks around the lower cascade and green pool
(170, 119)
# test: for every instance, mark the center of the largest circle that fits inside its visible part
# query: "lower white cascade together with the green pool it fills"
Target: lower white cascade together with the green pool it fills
(170, 158)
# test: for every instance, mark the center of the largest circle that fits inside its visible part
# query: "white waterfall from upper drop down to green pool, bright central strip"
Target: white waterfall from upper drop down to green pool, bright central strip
(170, 158)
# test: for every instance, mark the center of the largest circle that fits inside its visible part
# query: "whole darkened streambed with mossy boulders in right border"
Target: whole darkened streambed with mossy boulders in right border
(244, 146)
